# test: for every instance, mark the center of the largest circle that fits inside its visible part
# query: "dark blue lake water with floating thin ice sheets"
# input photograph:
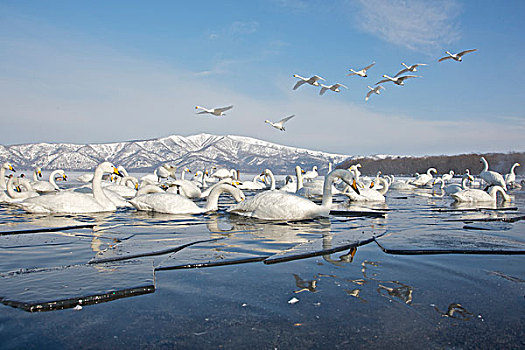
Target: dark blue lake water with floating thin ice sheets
(221, 281)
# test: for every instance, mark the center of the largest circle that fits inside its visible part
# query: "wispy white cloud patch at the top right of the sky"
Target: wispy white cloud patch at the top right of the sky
(415, 24)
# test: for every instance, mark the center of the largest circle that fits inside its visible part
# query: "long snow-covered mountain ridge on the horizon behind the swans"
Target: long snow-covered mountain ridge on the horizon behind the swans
(197, 152)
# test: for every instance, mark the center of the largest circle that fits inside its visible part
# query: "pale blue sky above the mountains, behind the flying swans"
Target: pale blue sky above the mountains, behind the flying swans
(103, 71)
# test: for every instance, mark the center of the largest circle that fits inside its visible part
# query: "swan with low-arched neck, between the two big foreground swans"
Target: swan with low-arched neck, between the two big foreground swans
(170, 203)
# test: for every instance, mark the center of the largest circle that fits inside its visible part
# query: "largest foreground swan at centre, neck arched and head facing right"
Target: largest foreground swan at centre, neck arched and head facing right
(280, 205)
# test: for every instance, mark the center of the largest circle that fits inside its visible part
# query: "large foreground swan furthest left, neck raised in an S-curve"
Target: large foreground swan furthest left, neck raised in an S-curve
(67, 202)
